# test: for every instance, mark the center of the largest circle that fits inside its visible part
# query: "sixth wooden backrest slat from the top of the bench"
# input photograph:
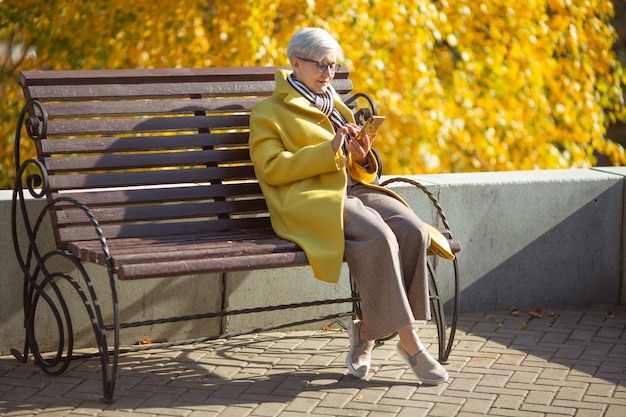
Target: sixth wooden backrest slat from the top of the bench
(146, 160)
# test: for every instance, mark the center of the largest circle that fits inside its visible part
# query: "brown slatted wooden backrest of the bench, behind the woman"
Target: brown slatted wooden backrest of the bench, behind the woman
(152, 152)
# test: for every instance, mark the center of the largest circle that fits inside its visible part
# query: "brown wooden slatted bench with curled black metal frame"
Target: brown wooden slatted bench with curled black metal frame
(147, 173)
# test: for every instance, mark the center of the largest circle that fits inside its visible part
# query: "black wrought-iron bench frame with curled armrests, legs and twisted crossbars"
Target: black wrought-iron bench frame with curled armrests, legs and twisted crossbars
(32, 178)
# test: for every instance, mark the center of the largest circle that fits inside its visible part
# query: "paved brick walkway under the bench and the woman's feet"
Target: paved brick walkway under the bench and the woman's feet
(569, 362)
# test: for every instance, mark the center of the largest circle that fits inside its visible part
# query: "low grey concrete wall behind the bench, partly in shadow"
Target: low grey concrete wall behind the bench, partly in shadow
(530, 239)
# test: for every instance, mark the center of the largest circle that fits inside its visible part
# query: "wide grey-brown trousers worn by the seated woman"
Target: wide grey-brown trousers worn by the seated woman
(386, 249)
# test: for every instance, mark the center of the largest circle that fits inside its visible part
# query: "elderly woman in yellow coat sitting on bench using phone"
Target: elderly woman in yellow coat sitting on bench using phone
(317, 180)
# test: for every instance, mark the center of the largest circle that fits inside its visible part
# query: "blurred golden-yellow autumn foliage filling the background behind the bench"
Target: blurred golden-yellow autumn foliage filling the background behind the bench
(466, 85)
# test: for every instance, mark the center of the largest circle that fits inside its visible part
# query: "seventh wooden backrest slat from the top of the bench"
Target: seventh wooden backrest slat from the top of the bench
(173, 176)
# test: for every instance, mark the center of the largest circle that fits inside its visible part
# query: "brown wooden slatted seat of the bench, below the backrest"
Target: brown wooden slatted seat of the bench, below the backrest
(199, 253)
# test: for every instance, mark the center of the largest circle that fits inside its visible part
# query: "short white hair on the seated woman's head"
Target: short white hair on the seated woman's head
(312, 43)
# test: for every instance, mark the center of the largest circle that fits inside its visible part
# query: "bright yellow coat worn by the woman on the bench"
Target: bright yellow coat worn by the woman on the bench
(302, 178)
